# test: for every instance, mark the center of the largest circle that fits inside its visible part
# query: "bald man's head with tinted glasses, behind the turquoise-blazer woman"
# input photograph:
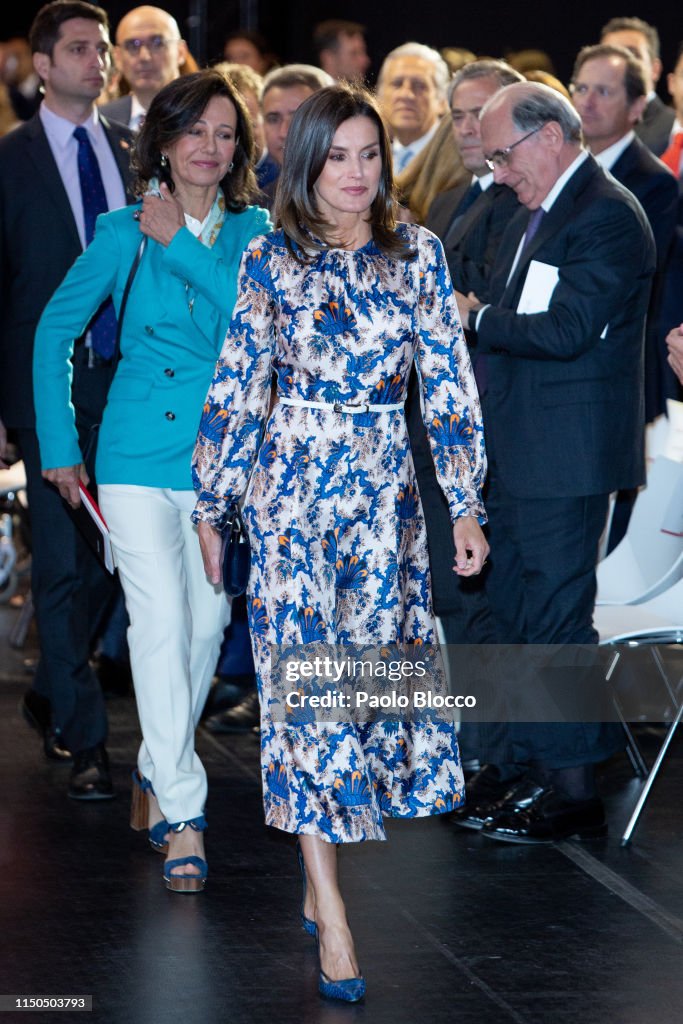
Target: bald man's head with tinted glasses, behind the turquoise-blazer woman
(149, 52)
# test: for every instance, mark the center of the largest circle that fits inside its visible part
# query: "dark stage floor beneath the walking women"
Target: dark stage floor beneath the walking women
(450, 927)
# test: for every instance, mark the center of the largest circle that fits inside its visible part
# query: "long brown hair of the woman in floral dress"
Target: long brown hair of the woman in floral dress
(309, 142)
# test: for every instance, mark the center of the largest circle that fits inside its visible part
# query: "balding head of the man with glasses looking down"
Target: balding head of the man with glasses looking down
(532, 134)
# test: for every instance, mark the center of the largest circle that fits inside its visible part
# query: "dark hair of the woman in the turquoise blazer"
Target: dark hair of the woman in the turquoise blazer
(174, 112)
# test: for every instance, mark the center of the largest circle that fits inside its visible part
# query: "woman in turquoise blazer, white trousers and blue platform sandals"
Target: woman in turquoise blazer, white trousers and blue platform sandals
(194, 158)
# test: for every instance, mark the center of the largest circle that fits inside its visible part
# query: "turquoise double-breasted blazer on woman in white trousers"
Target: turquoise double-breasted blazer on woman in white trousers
(176, 321)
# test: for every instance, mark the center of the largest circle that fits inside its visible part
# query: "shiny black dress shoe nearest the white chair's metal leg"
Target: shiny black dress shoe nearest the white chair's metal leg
(548, 820)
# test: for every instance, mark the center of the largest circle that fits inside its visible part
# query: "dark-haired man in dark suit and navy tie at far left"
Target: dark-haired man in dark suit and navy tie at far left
(42, 223)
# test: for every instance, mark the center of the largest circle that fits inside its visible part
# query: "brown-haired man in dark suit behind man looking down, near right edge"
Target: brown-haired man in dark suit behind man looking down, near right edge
(609, 92)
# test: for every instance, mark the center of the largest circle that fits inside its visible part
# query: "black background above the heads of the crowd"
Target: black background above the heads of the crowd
(490, 29)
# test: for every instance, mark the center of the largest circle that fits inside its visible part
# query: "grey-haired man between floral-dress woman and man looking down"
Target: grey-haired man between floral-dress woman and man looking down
(471, 221)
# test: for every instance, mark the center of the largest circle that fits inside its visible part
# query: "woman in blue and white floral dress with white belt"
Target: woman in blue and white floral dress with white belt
(338, 304)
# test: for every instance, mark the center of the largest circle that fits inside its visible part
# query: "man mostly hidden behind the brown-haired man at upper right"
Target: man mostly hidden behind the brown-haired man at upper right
(644, 41)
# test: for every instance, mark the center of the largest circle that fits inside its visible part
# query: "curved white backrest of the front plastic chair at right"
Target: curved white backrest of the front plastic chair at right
(648, 562)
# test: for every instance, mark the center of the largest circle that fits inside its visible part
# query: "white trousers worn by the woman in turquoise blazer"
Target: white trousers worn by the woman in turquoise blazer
(178, 620)
